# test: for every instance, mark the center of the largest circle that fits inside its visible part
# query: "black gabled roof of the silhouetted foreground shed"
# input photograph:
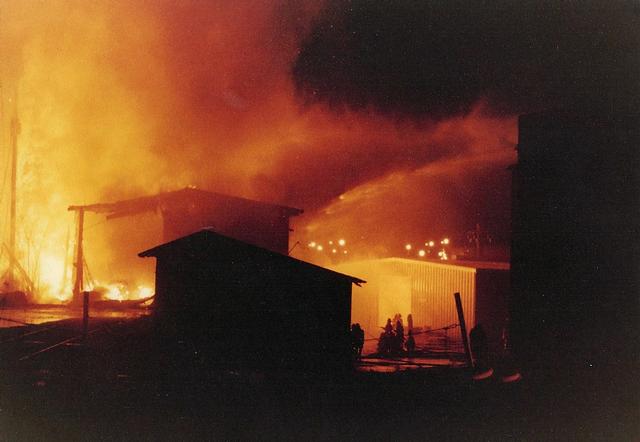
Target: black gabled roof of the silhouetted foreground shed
(207, 239)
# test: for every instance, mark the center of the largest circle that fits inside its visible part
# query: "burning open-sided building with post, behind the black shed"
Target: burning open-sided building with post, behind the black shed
(170, 215)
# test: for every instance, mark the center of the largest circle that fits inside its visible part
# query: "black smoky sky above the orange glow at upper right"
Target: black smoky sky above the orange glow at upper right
(438, 58)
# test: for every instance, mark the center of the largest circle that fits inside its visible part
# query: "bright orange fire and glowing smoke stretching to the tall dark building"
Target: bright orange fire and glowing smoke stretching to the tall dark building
(123, 99)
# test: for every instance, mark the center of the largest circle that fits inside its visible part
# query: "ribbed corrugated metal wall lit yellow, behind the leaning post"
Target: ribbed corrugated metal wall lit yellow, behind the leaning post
(432, 289)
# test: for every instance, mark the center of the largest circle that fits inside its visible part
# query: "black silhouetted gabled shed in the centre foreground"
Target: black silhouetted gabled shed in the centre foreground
(252, 304)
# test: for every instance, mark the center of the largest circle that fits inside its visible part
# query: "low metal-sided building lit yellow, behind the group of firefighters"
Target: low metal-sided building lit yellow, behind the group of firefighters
(425, 290)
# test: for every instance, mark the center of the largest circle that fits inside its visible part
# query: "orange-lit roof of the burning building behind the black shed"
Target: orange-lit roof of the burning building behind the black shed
(177, 198)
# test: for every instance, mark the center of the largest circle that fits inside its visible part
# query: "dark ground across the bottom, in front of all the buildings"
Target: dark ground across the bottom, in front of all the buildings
(122, 383)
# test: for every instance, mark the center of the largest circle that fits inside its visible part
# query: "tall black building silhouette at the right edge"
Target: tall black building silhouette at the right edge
(575, 267)
